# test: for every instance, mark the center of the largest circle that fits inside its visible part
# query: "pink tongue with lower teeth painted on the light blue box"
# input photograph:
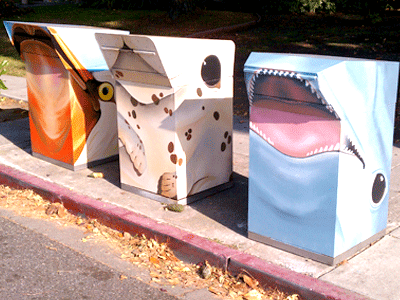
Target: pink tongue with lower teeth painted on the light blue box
(294, 134)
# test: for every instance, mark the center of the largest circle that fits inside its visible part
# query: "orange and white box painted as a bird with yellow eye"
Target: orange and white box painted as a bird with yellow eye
(72, 110)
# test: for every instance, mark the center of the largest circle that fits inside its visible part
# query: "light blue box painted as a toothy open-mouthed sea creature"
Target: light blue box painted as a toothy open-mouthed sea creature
(321, 133)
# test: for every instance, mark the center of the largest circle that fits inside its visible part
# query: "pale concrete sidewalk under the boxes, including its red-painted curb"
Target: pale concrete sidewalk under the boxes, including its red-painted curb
(214, 228)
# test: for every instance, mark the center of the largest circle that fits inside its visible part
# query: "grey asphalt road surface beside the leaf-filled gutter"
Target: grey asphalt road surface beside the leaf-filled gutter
(35, 266)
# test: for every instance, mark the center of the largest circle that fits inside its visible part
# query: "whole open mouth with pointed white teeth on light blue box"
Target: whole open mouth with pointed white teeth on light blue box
(290, 113)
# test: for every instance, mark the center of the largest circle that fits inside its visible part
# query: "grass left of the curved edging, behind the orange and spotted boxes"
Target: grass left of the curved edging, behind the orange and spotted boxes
(137, 22)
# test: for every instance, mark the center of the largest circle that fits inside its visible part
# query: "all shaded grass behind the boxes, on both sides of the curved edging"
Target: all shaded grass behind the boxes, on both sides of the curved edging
(336, 35)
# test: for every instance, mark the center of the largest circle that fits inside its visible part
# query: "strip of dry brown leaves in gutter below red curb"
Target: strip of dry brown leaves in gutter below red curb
(157, 257)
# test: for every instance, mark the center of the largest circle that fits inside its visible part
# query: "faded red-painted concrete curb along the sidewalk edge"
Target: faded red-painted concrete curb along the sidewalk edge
(187, 246)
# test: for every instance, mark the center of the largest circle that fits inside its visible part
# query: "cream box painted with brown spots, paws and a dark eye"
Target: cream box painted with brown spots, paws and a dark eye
(174, 103)
